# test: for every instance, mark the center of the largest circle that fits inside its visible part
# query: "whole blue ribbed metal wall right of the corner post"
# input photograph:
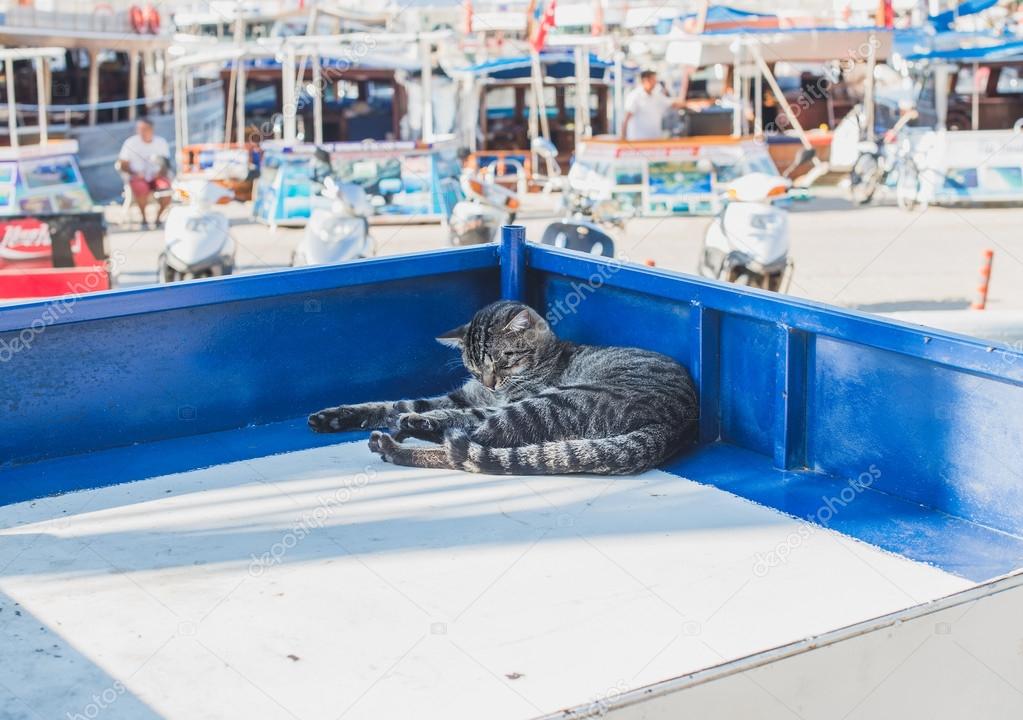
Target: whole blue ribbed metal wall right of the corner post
(929, 418)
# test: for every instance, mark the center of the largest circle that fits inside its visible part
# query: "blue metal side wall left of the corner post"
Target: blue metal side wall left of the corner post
(134, 368)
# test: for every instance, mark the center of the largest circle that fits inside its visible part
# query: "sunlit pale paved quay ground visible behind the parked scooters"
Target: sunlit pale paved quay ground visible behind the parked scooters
(878, 259)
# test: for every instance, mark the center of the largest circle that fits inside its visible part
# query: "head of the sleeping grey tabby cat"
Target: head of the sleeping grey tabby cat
(503, 341)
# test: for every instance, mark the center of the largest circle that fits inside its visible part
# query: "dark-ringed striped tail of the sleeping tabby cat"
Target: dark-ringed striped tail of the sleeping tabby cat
(622, 455)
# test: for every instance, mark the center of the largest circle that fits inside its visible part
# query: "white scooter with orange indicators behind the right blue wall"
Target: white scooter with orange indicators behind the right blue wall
(748, 242)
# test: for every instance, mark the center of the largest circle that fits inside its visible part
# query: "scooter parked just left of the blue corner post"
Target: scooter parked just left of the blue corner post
(486, 206)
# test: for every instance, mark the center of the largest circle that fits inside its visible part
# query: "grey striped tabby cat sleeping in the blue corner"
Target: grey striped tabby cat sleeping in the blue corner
(536, 406)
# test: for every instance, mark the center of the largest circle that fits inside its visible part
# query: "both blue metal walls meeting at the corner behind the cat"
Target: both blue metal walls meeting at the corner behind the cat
(822, 395)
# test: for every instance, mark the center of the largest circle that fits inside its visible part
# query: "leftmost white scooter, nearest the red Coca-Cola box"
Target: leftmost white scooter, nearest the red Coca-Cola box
(197, 238)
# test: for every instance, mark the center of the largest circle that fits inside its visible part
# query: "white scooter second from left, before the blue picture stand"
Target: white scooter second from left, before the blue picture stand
(340, 232)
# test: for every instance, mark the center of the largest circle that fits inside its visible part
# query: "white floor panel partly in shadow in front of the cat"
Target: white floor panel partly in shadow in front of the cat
(327, 584)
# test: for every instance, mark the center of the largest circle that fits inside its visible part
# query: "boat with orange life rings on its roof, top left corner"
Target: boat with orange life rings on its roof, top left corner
(114, 72)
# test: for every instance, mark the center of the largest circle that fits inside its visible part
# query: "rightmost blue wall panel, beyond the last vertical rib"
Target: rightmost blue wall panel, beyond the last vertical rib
(938, 436)
